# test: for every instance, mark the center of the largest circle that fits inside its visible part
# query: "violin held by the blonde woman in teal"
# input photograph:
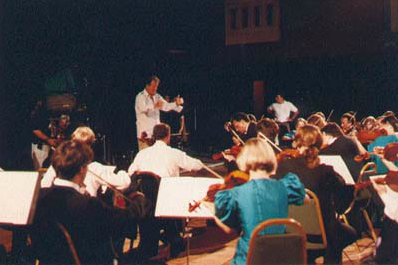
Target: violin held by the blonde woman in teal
(233, 179)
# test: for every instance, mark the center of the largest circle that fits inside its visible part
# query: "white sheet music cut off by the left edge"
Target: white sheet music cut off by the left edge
(18, 196)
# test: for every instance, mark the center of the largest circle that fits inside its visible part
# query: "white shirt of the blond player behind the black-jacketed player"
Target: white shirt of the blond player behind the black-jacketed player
(120, 180)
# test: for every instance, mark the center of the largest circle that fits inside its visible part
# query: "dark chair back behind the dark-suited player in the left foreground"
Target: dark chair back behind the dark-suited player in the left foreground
(52, 244)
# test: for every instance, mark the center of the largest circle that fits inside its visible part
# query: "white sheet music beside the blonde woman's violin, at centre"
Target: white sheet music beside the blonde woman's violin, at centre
(175, 194)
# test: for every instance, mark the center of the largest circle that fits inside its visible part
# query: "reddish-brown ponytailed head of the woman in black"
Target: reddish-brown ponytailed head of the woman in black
(309, 136)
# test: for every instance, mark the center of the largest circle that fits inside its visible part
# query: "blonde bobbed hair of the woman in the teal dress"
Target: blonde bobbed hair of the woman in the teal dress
(257, 155)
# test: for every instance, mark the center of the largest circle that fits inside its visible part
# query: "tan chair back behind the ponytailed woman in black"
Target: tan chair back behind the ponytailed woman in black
(309, 215)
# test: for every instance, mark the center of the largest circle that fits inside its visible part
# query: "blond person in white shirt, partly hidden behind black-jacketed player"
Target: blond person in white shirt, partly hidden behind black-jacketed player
(92, 183)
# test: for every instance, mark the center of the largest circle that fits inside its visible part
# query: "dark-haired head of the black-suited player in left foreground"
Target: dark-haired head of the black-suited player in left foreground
(69, 158)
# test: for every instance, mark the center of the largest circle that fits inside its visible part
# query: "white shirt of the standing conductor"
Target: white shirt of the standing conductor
(146, 113)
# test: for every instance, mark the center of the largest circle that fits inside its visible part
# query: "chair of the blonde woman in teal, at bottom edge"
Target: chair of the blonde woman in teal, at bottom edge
(288, 248)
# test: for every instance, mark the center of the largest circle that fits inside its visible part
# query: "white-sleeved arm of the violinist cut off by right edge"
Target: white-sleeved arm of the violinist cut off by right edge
(388, 196)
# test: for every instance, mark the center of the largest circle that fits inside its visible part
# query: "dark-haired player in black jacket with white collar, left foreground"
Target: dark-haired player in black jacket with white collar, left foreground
(89, 221)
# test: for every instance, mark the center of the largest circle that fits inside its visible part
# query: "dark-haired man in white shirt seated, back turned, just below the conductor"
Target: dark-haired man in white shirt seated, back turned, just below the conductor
(164, 161)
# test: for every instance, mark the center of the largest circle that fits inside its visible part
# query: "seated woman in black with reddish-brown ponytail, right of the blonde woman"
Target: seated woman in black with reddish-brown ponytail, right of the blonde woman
(328, 185)
